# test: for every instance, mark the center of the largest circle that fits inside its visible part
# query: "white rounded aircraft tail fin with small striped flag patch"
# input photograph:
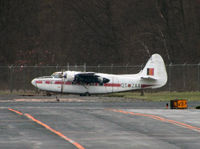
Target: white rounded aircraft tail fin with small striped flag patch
(155, 71)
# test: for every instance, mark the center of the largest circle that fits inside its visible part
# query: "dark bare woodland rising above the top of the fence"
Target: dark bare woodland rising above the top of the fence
(57, 32)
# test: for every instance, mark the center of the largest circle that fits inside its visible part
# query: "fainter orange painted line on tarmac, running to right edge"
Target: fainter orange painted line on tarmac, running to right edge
(159, 119)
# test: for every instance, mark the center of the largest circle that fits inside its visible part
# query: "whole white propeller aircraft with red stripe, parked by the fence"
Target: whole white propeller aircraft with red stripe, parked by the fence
(153, 75)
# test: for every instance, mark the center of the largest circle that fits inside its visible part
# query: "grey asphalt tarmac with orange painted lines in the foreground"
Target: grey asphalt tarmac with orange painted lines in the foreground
(97, 125)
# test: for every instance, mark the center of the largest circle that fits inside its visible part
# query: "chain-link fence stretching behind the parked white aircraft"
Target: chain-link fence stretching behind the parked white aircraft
(181, 77)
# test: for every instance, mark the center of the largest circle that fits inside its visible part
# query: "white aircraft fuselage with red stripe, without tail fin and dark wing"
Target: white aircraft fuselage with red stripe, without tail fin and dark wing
(117, 83)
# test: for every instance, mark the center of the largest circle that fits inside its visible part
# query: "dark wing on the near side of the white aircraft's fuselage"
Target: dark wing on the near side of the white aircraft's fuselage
(89, 77)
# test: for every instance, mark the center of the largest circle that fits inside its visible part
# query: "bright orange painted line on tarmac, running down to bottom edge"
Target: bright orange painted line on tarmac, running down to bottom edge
(77, 145)
